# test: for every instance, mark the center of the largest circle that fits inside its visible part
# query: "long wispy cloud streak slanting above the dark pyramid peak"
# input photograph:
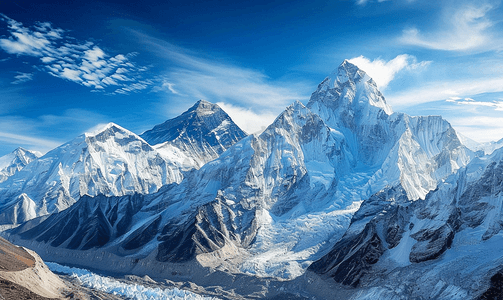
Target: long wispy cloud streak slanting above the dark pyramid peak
(194, 77)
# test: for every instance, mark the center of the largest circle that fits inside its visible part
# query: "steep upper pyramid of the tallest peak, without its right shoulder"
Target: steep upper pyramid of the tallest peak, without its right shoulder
(348, 100)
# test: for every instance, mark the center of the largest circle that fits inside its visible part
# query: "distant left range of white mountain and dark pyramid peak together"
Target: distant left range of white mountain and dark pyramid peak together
(116, 162)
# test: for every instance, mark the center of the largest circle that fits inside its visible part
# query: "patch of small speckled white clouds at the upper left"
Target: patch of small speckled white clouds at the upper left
(63, 57)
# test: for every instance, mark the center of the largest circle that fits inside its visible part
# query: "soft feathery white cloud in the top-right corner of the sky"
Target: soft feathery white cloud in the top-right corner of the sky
(467, 28)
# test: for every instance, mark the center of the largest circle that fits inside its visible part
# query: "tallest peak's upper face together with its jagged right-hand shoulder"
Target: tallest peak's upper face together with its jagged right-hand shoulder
(415, 151)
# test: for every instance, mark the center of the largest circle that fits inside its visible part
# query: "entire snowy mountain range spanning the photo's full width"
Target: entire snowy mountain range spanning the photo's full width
(379, 203)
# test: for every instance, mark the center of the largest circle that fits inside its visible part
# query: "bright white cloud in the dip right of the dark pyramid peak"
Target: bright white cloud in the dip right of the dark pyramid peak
(248, 120)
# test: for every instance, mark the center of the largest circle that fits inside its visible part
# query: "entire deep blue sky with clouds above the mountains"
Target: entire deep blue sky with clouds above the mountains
(69, 67)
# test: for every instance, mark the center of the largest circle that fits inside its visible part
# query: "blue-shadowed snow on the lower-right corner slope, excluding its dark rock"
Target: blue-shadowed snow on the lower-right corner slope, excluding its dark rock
(463, 271)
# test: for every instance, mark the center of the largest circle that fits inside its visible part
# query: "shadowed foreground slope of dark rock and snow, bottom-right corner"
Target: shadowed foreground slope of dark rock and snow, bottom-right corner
(442, 247)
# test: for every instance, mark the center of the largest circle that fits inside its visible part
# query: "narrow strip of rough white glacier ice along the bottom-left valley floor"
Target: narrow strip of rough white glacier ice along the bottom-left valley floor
(131, 291)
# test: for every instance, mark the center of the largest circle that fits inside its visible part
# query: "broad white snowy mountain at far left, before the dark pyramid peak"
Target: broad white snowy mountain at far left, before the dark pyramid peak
(113, 161)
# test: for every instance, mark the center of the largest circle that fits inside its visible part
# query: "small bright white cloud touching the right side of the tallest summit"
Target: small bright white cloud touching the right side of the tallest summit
(383, 71)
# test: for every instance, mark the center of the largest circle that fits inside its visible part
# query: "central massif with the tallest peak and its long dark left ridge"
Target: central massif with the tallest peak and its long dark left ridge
(273, 203)
